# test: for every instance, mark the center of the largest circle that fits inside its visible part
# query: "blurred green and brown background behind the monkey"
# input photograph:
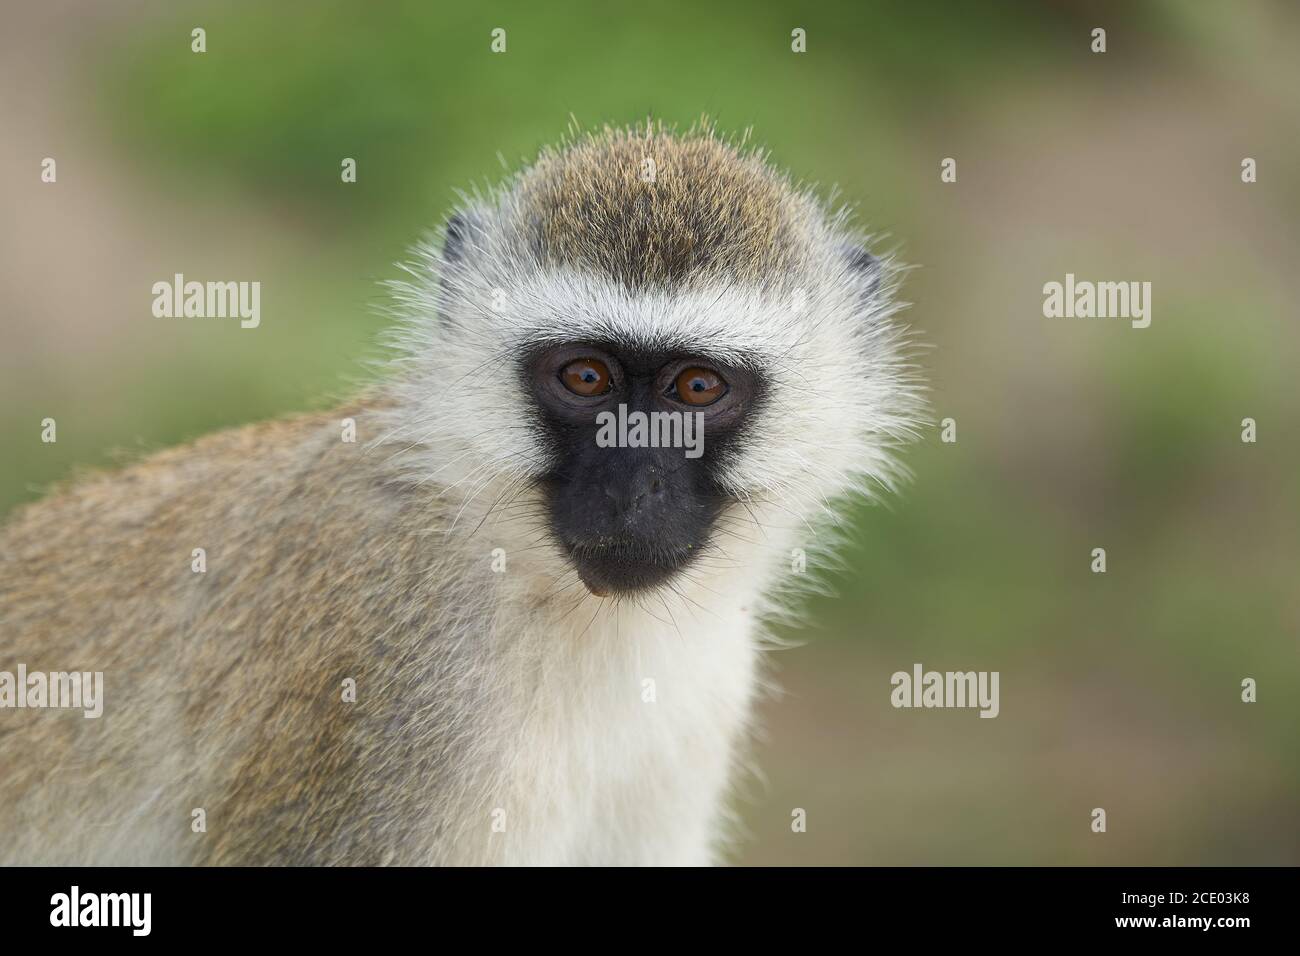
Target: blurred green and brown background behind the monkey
(1119, 690)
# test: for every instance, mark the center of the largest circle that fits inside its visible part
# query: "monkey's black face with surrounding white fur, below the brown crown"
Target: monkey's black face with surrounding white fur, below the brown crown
(651, 436)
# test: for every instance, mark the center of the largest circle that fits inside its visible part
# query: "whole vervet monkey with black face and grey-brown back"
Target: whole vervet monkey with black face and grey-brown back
(478, 634)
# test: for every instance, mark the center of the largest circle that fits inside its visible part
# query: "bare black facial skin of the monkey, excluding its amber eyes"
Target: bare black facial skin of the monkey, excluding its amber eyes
(631, 518)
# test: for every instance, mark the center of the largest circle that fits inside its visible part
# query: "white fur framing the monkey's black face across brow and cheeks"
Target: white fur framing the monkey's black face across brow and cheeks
(839, 383)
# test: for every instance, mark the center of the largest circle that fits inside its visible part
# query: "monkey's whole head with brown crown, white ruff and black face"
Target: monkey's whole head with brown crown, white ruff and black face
(656, 334)
